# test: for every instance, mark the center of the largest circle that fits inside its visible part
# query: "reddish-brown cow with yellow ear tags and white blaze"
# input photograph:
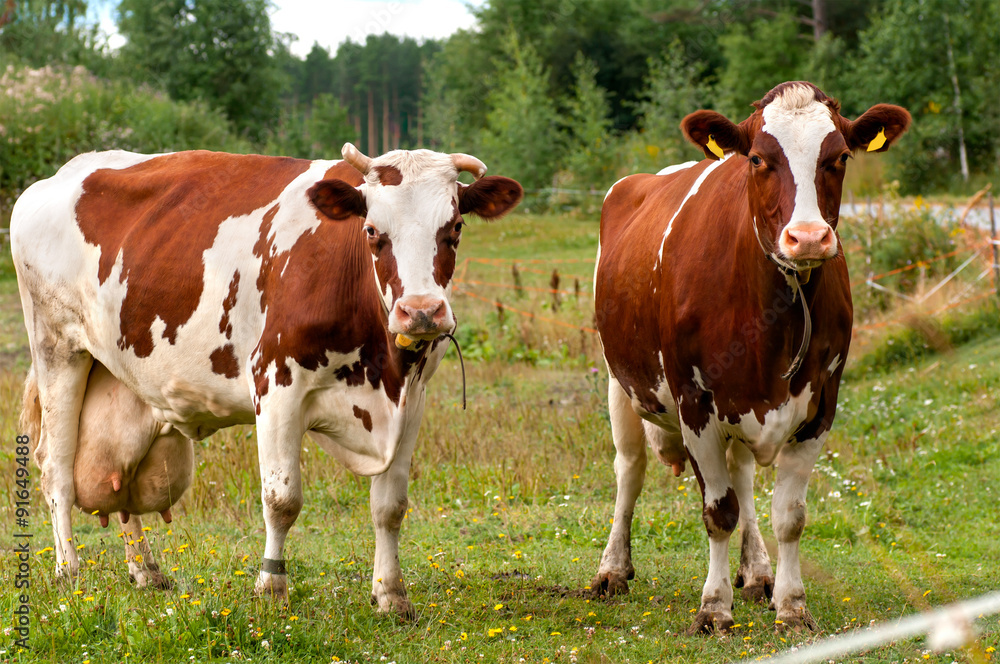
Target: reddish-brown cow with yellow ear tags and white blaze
(700, 273)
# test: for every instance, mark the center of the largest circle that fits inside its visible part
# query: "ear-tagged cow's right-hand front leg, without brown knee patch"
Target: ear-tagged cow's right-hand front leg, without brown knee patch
(788, 515)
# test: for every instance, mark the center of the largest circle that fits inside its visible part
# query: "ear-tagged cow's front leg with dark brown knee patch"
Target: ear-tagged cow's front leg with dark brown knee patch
(720, 512)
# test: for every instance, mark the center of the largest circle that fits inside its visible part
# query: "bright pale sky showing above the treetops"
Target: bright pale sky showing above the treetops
(332, 22)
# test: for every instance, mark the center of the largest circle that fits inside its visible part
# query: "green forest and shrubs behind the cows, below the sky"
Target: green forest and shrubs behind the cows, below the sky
(564, 95)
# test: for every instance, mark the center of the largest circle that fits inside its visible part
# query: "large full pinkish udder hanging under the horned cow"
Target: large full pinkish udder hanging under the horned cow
(125, 458)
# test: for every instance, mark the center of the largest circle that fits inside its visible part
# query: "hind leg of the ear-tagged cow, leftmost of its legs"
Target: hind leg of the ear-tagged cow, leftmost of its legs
(616, 567)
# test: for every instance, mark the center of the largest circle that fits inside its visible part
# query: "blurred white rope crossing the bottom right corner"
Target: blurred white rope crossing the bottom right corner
(947, 628)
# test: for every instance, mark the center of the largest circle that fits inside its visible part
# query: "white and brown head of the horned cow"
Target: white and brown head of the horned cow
(412, 205)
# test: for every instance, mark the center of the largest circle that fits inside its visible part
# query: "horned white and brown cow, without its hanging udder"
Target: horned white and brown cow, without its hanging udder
(302, 296)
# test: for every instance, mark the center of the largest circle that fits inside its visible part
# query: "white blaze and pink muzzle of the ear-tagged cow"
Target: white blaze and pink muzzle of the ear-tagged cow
(800, 124)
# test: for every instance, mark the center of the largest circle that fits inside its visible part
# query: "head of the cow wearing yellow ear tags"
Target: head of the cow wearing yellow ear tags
(797, 146)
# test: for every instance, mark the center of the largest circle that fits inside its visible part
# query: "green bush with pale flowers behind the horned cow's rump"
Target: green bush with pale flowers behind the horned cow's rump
(49, 115)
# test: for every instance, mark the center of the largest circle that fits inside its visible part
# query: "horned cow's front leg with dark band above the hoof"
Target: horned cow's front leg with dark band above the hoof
(279, 446)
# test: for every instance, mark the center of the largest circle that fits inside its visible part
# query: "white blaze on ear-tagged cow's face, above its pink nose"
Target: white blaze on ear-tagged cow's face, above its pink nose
(800, 124)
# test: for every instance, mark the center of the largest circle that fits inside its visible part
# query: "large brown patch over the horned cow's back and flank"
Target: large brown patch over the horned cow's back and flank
(166, 212)
